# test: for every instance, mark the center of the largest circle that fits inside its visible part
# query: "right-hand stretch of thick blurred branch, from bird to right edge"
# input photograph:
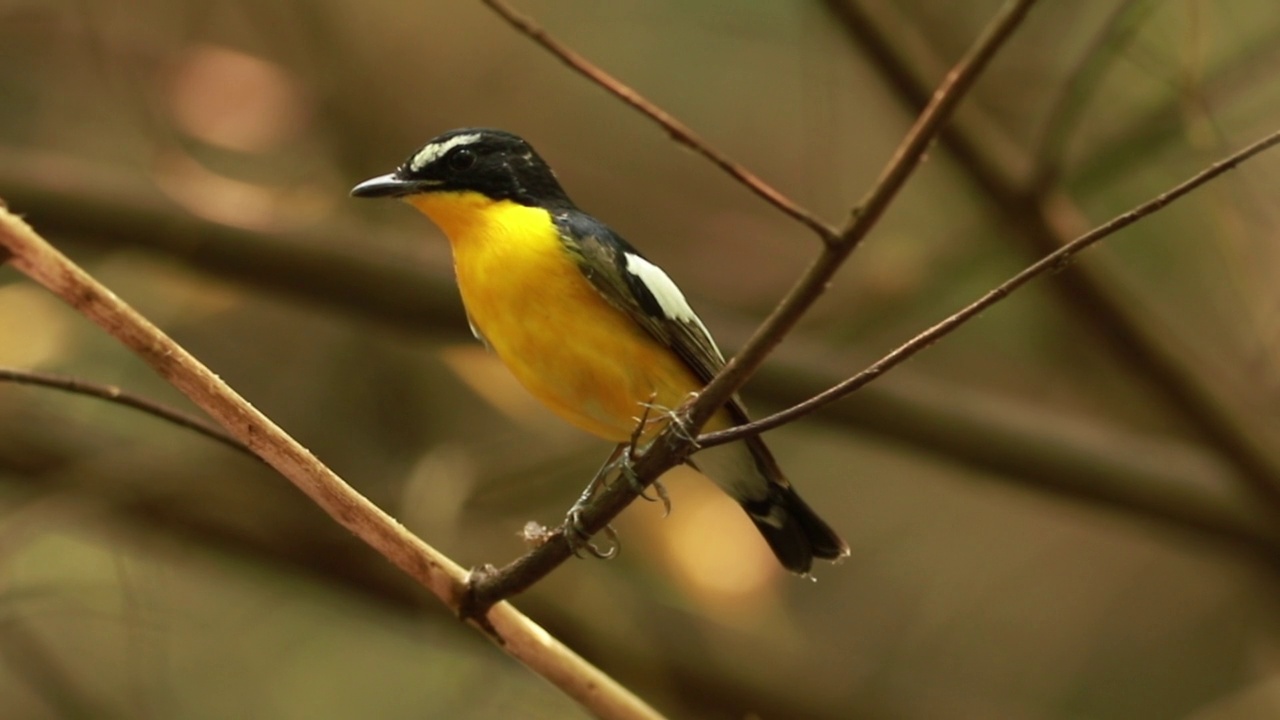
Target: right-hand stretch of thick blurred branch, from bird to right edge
(1171, 486)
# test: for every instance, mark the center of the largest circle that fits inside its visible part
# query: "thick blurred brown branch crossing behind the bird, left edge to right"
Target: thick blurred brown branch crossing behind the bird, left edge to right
(1040, 457)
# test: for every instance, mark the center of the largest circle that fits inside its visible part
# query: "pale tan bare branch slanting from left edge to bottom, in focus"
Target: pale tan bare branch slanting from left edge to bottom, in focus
(504, 625)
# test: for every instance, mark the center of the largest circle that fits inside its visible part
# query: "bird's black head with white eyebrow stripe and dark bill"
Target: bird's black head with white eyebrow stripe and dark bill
(491, 162)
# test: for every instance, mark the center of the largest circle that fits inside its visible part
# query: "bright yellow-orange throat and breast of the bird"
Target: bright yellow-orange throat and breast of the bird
(582, 357)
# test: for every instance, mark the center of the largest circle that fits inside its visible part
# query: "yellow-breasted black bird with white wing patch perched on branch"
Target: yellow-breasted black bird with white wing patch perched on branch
(587, 323)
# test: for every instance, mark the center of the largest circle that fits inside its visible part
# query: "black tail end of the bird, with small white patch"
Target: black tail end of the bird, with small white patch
(796, 534)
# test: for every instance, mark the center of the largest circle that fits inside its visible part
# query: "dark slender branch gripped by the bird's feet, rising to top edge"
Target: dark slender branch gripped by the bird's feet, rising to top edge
(669, 448)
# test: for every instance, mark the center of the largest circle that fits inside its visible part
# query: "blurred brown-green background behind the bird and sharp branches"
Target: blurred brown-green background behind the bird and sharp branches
(1067, 509)
